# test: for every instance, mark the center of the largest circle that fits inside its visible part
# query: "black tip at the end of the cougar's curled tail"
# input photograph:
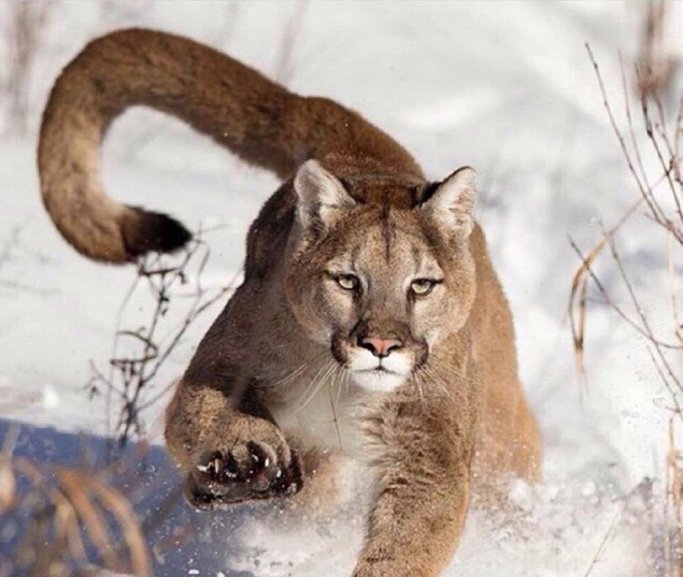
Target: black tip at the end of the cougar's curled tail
(145, 231)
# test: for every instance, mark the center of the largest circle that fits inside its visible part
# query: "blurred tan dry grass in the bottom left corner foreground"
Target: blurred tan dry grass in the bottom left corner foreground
(67, 521)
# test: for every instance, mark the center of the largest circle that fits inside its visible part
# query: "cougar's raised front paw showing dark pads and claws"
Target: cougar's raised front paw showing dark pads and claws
(244, 471)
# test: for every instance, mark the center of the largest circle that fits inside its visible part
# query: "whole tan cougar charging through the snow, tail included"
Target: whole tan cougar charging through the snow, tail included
(279, 385)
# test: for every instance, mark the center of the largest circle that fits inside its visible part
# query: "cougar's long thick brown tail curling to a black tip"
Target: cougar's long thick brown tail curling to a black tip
(238, 107)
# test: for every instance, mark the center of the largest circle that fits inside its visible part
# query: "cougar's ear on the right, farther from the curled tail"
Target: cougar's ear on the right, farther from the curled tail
(451, 204)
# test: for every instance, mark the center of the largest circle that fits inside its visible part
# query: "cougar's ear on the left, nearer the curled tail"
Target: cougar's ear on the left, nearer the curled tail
(321, 197)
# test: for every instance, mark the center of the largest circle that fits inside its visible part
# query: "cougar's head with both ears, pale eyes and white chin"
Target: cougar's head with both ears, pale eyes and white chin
(380, 283)
